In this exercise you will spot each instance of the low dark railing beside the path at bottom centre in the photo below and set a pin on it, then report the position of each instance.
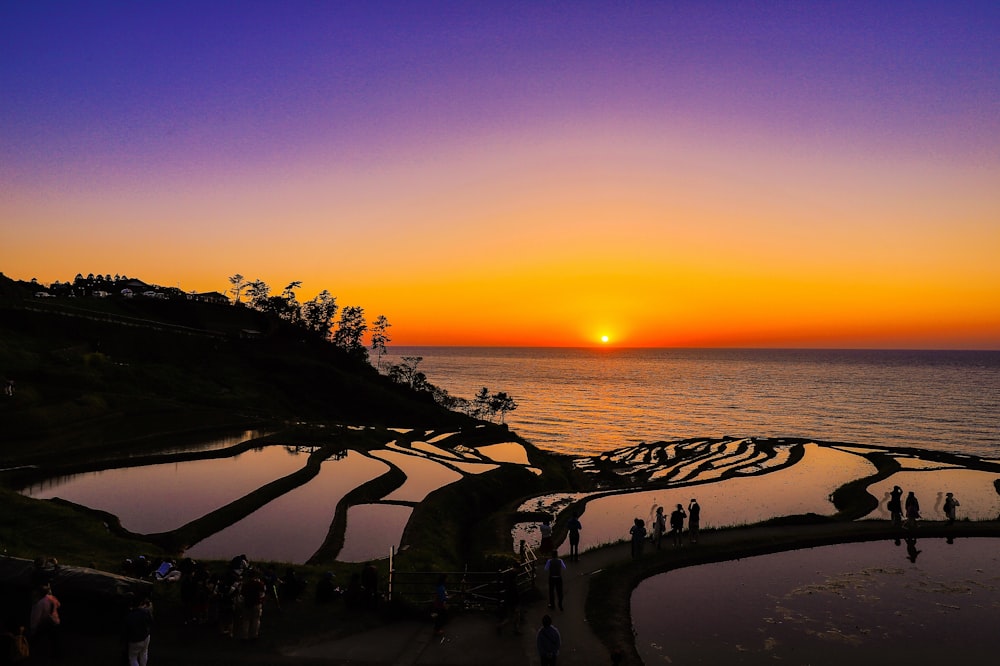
(467, 590)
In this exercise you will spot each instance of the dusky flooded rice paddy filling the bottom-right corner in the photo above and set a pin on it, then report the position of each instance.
(923, 602)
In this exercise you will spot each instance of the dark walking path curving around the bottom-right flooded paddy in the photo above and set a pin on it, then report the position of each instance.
(472, 638)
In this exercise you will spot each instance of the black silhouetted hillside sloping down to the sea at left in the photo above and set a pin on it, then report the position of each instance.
(102, 376)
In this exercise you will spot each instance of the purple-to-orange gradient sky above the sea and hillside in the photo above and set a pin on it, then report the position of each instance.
(807, 174)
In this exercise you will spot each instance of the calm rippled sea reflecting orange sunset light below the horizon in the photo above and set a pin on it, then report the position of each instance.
(586, 401)
